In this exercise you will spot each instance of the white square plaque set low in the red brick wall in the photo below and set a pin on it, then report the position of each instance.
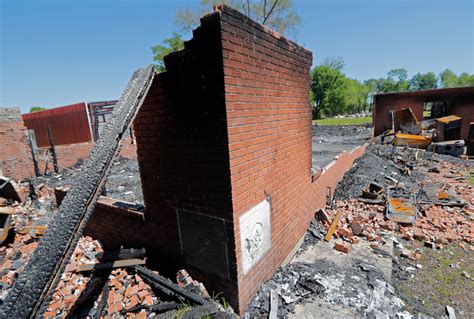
(255, 234)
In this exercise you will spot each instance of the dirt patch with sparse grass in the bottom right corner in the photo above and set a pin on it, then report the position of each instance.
(442, 278)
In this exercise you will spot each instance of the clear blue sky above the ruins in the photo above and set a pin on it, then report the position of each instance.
(57, 52)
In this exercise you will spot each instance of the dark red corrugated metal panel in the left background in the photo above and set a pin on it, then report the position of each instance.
(69, 124)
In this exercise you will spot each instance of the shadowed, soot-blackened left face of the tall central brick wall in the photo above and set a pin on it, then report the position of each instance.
(182, 149)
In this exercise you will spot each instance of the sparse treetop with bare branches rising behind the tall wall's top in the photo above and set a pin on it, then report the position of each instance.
(276, 14)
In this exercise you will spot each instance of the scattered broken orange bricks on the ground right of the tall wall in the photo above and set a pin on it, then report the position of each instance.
(436, 225)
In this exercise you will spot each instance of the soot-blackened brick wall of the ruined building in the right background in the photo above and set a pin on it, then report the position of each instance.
(460, 102)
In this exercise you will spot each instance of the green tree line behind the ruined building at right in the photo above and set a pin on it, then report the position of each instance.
(334, 93)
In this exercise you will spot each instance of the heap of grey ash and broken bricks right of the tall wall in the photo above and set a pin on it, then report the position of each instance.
(444, 200)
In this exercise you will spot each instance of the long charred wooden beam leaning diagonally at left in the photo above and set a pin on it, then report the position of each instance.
(33, 288)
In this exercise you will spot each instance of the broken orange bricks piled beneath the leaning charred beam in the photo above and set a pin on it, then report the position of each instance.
(112, 296)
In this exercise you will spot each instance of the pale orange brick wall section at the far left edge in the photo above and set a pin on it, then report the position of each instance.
(15, 154)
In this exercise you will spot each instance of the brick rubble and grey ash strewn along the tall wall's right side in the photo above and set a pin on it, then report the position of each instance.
(443, 199)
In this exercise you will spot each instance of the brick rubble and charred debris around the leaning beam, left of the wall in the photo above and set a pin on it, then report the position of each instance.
(92, 284)
